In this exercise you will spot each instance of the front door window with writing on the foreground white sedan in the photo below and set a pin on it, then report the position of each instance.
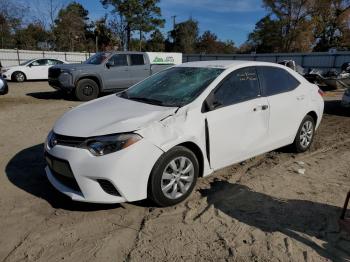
(241, 85)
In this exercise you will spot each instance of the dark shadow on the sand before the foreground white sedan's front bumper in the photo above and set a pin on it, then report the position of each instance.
(26, 171)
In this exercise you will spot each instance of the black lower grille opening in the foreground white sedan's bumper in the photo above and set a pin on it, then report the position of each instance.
(62, 171)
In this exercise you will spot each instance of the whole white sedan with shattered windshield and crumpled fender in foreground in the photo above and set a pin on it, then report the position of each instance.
(156, 138)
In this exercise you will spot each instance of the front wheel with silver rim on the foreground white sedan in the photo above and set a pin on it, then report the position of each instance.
(172, 187)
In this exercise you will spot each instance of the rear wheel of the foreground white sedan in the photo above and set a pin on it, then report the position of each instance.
(305, 135)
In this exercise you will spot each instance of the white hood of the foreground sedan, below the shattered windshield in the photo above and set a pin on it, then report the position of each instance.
(109, 115)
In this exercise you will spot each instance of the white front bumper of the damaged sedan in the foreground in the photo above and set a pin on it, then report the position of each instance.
(127, 170)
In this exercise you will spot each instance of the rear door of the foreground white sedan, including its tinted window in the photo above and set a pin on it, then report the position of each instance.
(287, 99)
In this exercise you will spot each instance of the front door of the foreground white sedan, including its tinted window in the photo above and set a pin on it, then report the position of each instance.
(238, 127)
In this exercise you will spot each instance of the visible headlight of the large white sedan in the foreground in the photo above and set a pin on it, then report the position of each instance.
(104, 145)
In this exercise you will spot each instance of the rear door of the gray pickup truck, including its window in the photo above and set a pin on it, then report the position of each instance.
(139, 69)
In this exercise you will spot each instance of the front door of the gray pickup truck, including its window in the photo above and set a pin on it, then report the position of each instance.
(116, 72)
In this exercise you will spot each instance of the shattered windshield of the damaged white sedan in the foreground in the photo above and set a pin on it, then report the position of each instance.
(176, 86)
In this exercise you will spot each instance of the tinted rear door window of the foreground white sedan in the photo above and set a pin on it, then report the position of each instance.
(276, 80)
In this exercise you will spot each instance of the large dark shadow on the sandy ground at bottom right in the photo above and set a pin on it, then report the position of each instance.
(288, 216)
